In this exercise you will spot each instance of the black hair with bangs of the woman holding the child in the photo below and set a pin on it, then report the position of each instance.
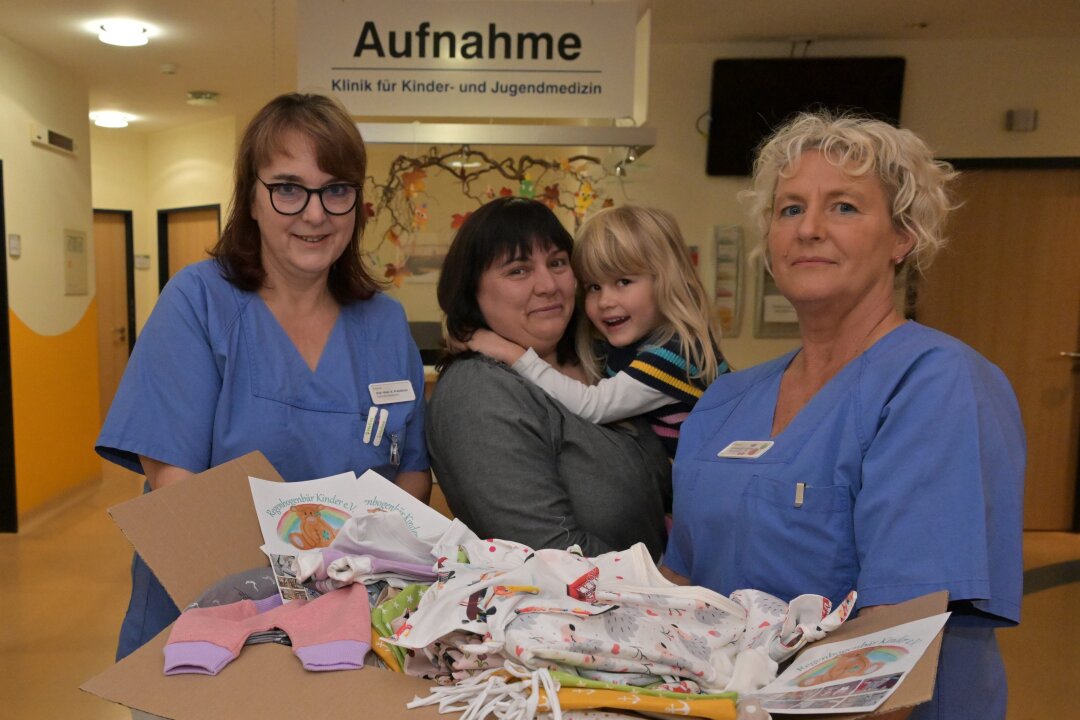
(506, 227)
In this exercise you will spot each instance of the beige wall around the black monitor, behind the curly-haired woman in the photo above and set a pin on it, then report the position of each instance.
(955, 96)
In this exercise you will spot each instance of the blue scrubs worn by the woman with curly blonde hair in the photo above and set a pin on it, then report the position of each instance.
(912, 460)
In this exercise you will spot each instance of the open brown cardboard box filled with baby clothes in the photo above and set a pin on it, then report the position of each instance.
(196, 533)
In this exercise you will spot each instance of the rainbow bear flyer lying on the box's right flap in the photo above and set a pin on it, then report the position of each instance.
(854, 676)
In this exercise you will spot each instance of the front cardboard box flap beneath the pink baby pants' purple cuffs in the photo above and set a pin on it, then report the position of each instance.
(265, 682)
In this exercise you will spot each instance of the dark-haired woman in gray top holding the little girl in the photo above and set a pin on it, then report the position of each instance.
(514, 463)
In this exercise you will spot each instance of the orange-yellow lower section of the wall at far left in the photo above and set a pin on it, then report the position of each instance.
(55, 395)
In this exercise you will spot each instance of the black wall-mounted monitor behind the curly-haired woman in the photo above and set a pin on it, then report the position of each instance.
(751, 98)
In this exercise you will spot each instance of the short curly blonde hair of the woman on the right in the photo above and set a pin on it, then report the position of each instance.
(915, 183)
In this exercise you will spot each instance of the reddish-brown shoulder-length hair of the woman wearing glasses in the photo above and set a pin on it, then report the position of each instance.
(340, 151)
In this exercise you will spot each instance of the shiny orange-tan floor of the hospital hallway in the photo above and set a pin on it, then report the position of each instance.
(65, 588)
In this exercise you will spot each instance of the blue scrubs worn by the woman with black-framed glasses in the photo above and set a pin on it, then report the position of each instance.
(214, 376)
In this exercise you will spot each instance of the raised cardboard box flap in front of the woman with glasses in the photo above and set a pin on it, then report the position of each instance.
(196, 533)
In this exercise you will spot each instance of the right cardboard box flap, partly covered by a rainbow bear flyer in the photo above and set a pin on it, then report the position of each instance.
(919, 687)
